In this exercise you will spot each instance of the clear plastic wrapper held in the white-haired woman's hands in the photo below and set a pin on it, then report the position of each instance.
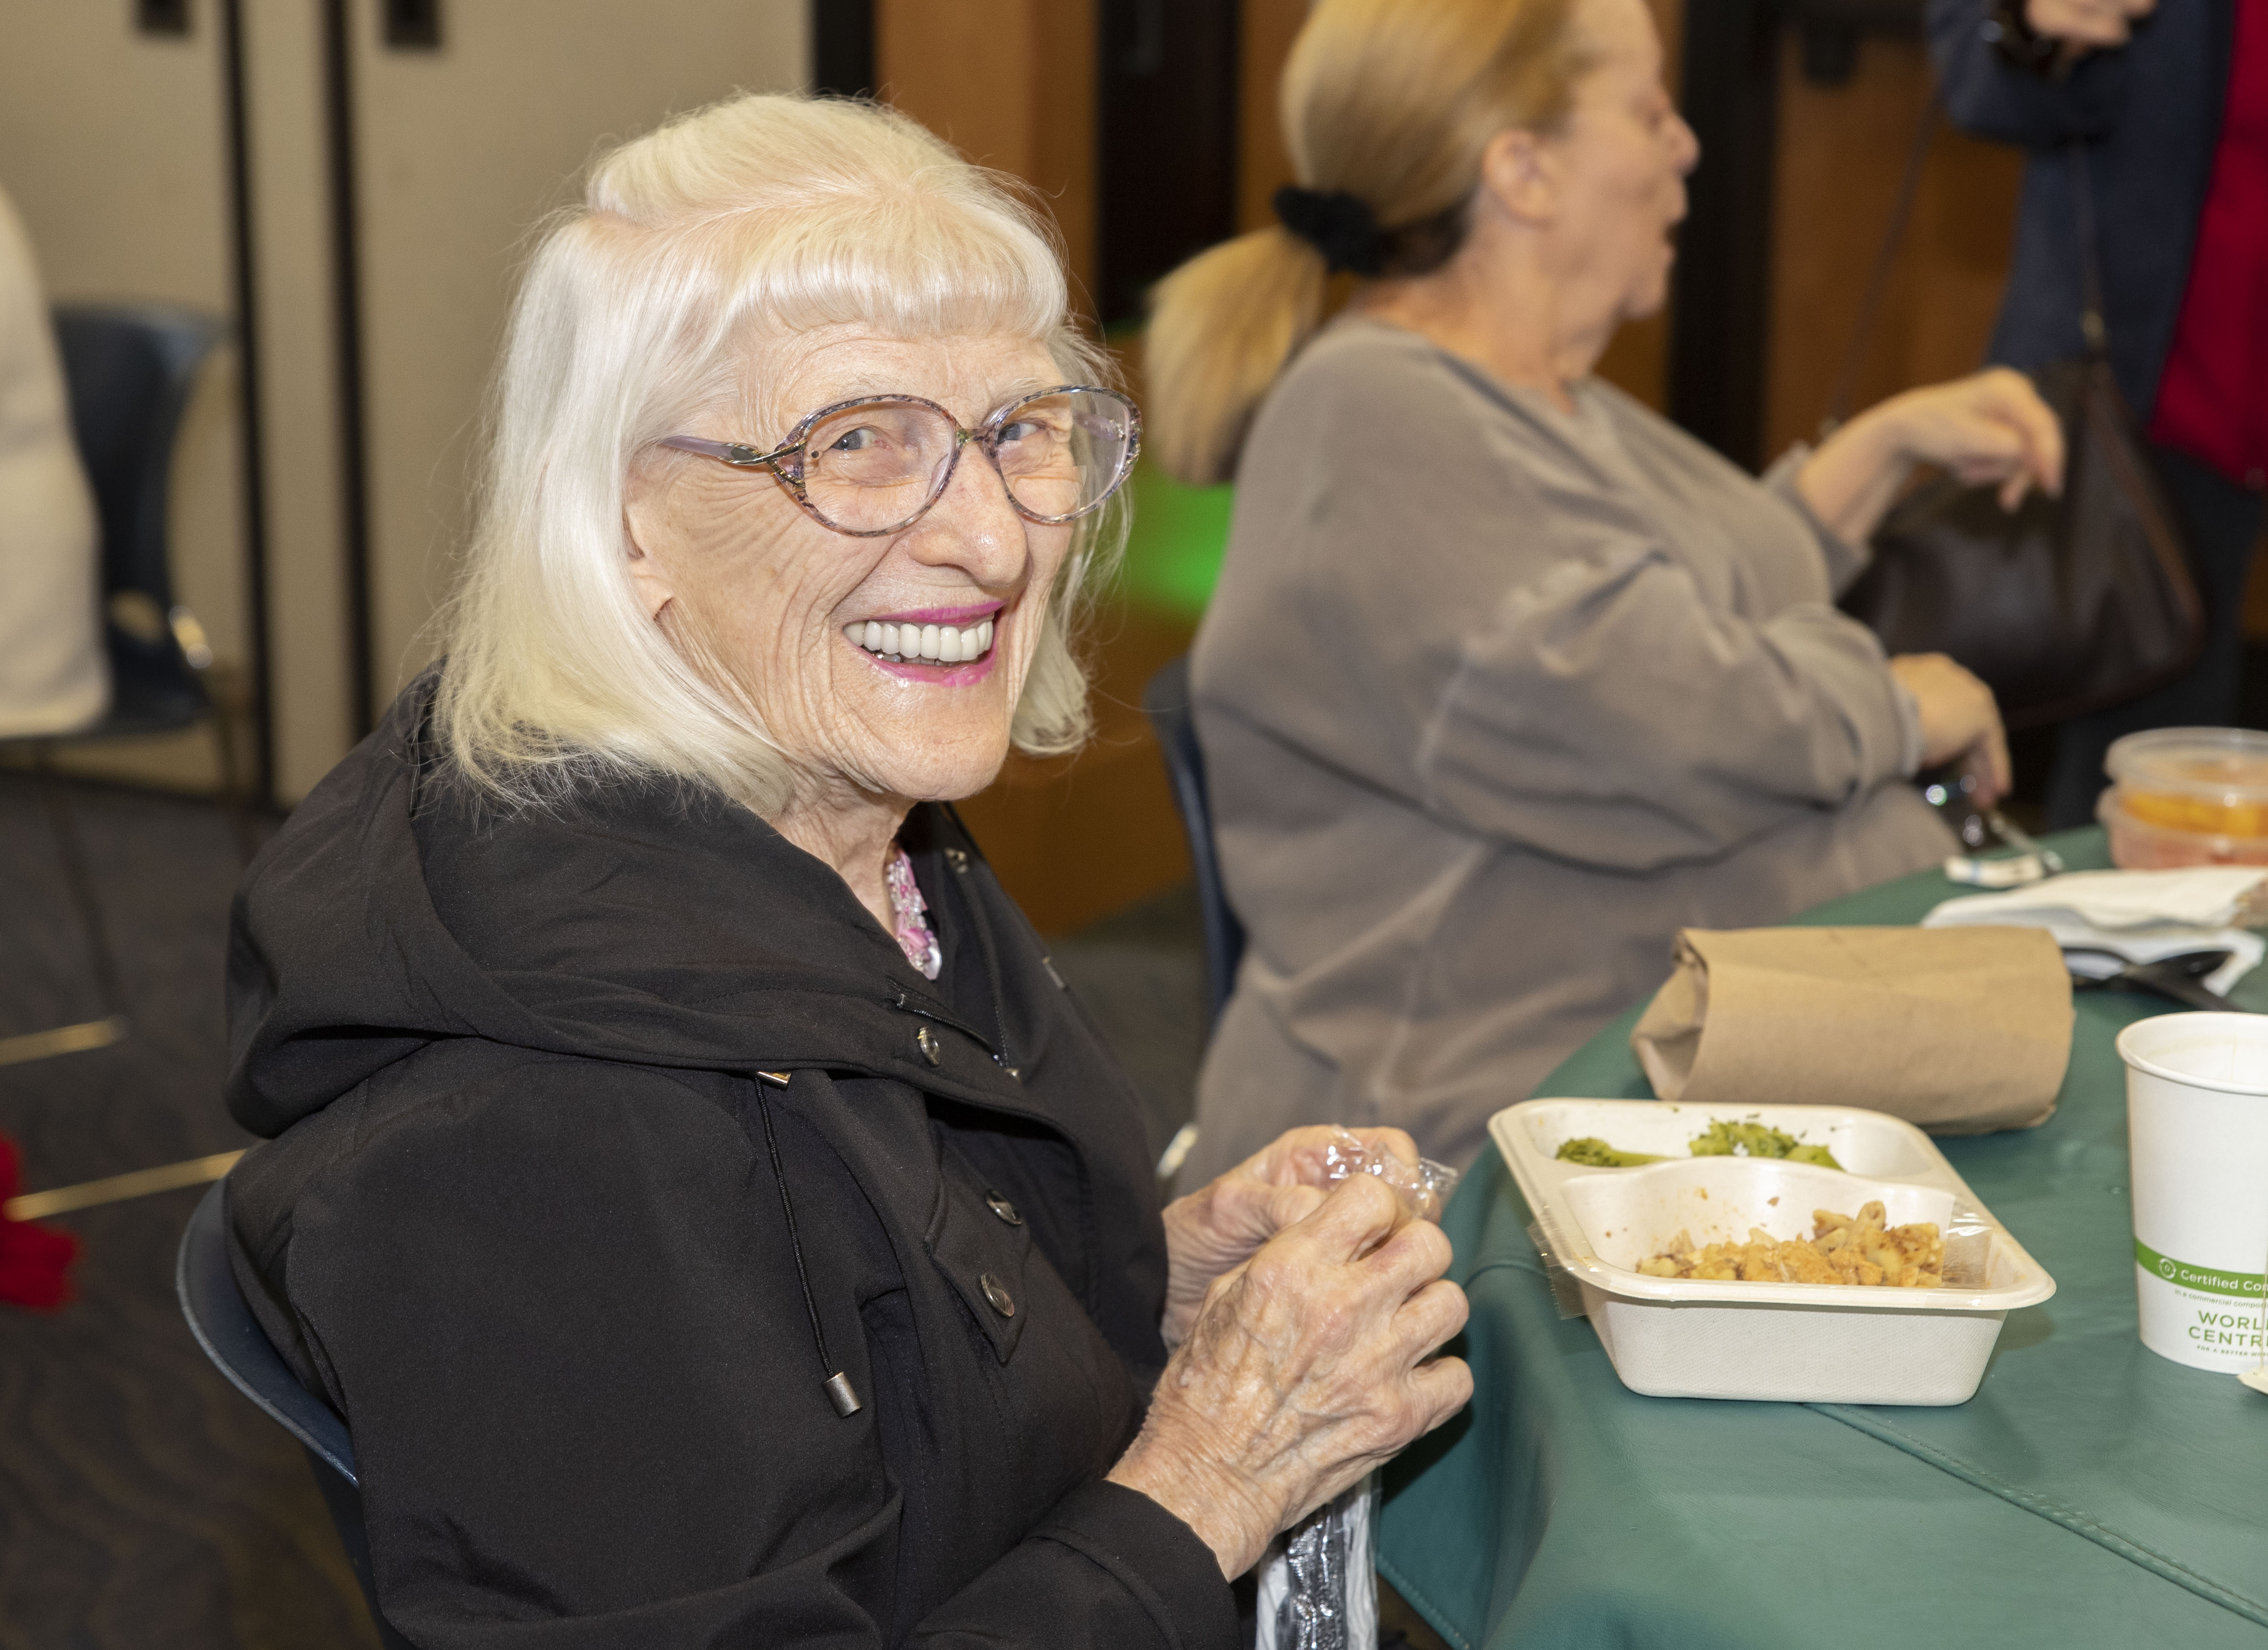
(1321, 1579)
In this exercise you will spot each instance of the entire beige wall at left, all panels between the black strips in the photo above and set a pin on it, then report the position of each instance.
(112, 146)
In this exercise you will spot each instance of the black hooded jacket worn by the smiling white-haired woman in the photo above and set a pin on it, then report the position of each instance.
(521, 1221)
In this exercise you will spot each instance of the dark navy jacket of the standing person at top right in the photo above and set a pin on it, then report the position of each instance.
(2149, 117)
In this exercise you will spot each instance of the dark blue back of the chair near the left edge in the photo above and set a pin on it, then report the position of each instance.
(130, 373)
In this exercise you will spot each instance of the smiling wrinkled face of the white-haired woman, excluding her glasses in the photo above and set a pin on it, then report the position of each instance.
(761, 595)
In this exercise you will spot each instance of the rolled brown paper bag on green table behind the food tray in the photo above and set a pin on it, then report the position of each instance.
(1956, 1030)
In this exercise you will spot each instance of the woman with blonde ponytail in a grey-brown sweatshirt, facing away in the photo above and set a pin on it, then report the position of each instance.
(1507, 679)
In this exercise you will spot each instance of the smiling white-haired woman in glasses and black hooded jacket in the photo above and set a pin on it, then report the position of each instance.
(688, 1177)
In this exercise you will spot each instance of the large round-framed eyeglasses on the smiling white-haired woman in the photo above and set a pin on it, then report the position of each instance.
(877, 466)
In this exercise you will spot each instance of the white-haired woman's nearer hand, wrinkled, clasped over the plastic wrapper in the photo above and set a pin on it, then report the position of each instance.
(1305, 1370)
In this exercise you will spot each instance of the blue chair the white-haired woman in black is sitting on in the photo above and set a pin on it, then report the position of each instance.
(239, 1347)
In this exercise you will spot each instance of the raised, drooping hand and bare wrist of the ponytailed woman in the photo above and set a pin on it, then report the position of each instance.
(1981, 429)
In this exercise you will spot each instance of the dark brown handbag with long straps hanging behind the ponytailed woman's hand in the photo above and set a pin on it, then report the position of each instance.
(2063, 606)
